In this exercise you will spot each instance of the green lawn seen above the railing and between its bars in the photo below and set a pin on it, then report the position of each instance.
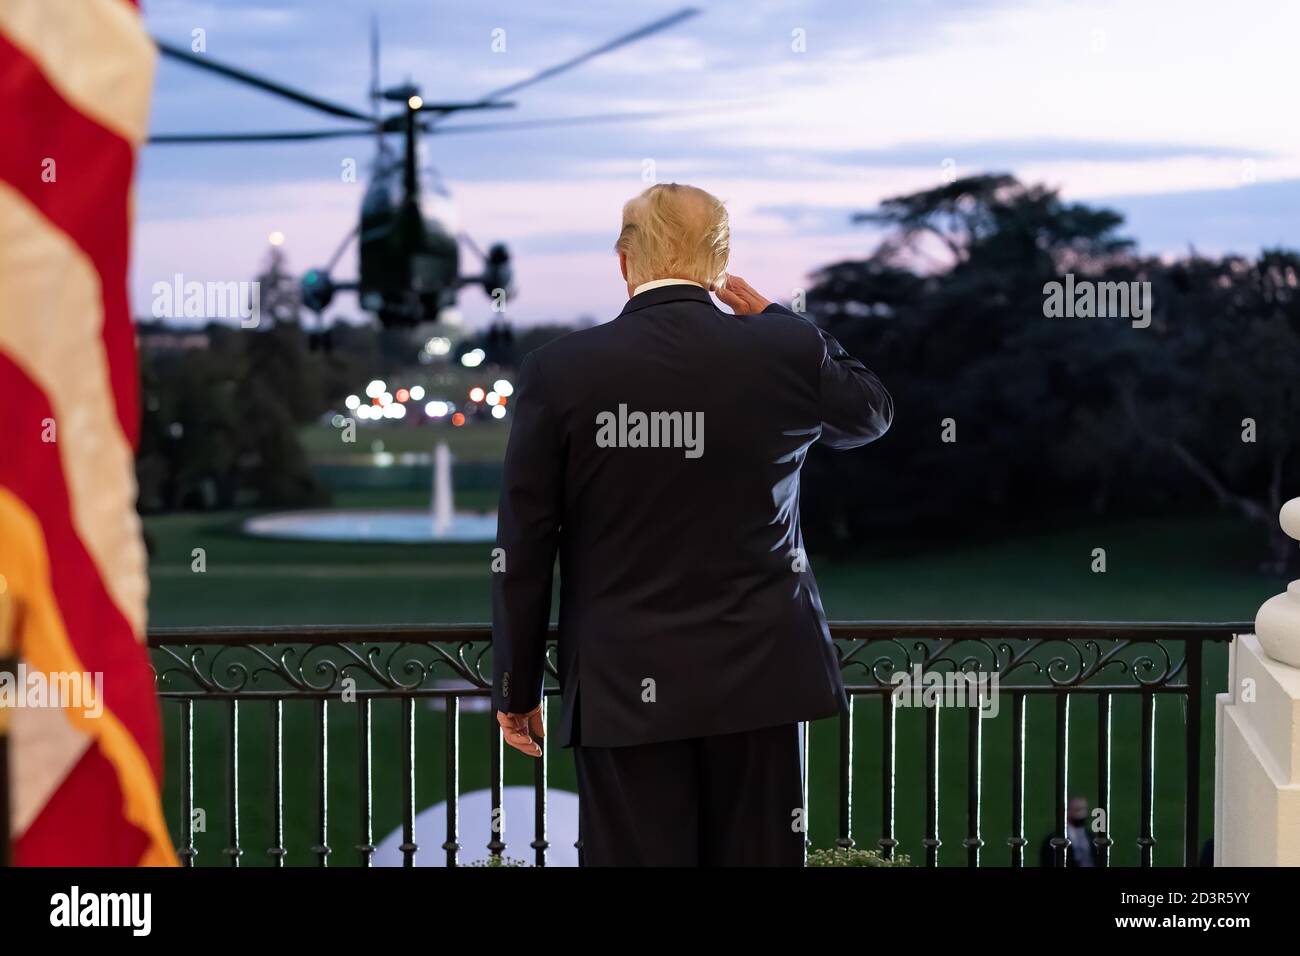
(1169, 569)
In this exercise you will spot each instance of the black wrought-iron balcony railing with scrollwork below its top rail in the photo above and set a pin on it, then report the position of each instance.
(1072, 663)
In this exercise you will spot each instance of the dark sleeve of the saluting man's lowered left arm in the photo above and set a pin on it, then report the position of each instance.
(528, 527)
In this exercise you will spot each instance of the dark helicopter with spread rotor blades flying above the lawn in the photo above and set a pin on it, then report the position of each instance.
(409, 257)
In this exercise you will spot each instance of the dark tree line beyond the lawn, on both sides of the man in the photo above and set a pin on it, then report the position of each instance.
(1013, 409)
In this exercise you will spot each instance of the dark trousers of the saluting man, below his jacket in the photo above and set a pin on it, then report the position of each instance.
(734, 801)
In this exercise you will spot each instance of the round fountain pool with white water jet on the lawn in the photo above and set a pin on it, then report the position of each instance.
(441, 524)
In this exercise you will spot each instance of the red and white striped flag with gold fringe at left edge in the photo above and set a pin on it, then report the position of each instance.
(75, 89)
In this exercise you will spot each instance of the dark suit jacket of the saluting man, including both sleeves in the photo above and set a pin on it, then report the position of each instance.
(687, 608)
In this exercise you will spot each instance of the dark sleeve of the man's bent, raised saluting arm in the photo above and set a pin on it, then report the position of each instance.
(856, 408)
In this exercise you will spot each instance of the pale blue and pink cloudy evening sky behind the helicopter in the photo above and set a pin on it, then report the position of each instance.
(1178, 114)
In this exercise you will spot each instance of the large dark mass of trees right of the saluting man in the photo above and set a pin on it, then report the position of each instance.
(1009, 417)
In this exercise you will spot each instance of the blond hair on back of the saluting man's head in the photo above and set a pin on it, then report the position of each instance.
(675, 232)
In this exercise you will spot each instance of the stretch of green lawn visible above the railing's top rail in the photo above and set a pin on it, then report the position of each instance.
(1172, 569)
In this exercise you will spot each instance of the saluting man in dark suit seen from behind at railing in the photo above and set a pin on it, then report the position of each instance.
(660, 456)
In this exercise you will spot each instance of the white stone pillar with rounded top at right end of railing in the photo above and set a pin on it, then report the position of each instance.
(1258, 736)
